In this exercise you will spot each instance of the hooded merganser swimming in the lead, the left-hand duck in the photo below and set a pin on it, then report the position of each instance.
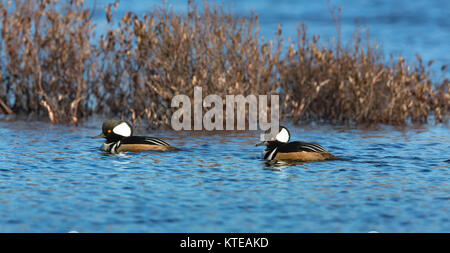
(119, 139)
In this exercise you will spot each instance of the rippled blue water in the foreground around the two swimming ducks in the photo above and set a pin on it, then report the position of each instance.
(56, 179)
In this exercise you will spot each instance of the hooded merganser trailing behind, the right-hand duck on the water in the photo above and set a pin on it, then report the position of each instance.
(280, 149)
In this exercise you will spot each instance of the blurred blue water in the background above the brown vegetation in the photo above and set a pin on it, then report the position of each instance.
(401, 27)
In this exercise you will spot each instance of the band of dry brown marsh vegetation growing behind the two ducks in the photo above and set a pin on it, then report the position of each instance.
(53, 65)
